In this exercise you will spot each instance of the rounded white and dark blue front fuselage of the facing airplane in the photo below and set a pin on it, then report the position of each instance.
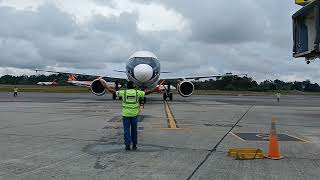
(143, 68)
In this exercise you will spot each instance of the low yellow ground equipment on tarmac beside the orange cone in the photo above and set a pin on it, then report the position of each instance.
(246, 153)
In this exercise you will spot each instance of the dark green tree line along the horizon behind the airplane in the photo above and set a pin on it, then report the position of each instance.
(233, 83)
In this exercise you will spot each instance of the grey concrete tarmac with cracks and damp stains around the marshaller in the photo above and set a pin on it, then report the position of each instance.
(80, 136)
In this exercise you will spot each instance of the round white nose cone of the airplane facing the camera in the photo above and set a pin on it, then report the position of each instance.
(143, 72)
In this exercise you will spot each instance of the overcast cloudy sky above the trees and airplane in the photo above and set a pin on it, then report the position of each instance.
(189, 37)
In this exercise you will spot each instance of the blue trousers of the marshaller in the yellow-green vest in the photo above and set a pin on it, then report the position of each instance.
(133, 135)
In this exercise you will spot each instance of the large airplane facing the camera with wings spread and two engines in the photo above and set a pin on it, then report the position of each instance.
(143, 68)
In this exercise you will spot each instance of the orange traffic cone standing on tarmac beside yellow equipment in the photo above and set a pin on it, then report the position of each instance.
(273, 142)
